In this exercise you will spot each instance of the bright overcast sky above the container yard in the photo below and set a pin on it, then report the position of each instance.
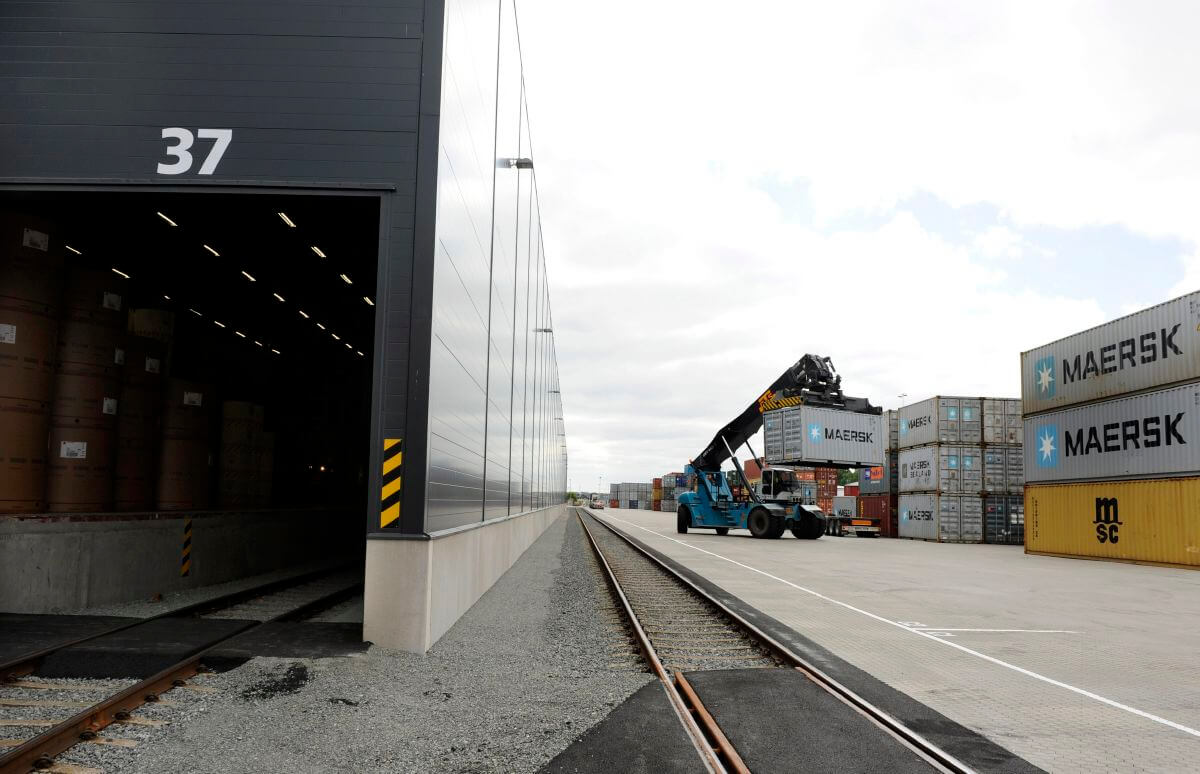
(919, 190)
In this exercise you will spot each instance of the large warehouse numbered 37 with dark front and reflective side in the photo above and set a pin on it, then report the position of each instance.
(273, 274)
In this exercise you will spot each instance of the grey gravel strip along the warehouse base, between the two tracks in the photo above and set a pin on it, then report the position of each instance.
(537, 662)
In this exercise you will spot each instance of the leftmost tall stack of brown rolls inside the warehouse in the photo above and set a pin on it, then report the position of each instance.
(32, 259)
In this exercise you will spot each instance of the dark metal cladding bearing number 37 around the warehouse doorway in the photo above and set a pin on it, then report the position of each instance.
(316, 95)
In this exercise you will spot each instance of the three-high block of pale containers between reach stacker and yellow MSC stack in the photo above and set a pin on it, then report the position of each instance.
(959, 467)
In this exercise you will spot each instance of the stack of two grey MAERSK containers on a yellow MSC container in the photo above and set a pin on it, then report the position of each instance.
(1113, 427)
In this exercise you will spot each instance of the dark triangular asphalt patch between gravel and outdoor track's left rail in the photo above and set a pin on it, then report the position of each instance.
(643, 736)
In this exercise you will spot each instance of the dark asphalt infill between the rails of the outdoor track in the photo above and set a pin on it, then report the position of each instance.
(779, 722)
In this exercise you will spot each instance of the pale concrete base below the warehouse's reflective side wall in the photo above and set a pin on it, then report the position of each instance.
(417, 590)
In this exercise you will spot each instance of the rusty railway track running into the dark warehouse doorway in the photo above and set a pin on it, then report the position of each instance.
(291, 599)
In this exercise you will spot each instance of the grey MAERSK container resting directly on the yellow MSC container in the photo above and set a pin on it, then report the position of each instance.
(1153, 435)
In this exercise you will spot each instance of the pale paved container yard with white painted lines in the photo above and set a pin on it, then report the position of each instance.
(1076, 667)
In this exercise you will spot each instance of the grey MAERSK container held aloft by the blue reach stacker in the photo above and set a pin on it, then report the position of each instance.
(821, 436)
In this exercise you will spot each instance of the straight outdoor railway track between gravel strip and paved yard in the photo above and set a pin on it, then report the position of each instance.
(680, 628)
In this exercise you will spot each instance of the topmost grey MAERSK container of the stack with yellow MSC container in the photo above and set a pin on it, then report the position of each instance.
(1148, 350)
